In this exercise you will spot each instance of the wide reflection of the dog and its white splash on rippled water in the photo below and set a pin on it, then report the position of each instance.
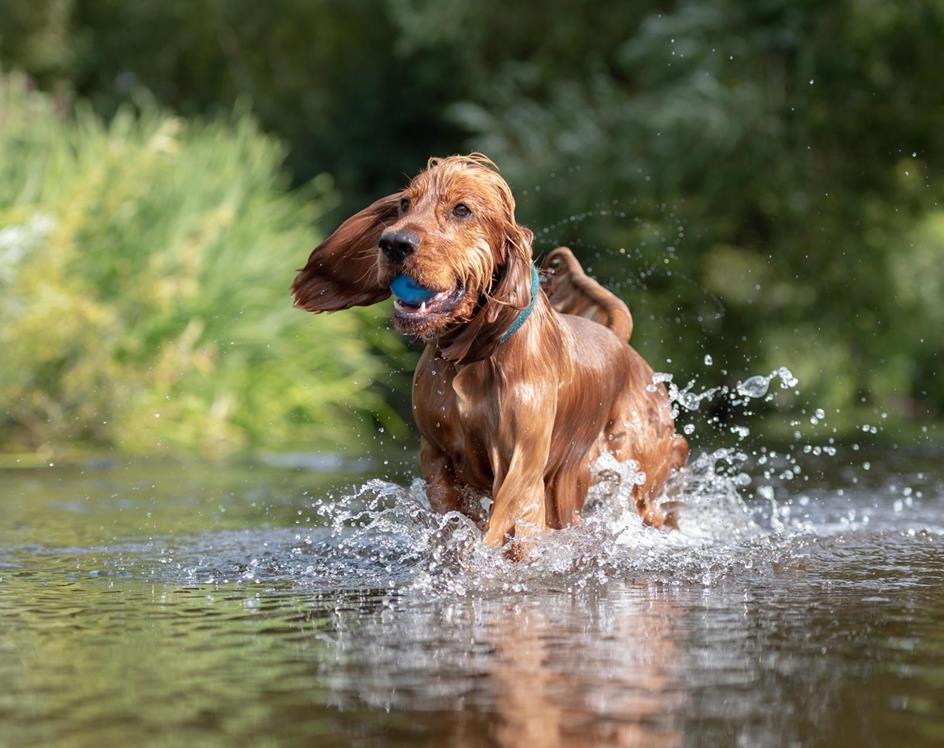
(548, 669)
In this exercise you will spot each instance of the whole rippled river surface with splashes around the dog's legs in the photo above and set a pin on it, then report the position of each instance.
(304, 601)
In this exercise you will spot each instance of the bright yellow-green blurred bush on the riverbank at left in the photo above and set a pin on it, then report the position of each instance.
(144, 273)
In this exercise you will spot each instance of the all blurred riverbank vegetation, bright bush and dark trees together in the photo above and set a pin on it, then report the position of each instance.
(762, 183)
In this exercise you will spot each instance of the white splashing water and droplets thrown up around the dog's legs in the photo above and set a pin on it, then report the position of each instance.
(384, 534)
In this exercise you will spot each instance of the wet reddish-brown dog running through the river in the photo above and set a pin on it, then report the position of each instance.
(519, 390)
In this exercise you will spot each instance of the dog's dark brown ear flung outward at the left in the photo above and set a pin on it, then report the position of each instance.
(342, 270)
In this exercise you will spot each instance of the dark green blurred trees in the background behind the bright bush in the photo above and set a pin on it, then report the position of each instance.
(760, 180)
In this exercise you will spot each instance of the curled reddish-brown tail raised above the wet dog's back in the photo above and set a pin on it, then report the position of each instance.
(571, 291)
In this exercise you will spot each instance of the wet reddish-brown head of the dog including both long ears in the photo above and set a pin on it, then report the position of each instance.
(452, 232)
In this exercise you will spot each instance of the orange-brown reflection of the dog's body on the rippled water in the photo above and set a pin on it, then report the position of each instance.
(610, 682)
